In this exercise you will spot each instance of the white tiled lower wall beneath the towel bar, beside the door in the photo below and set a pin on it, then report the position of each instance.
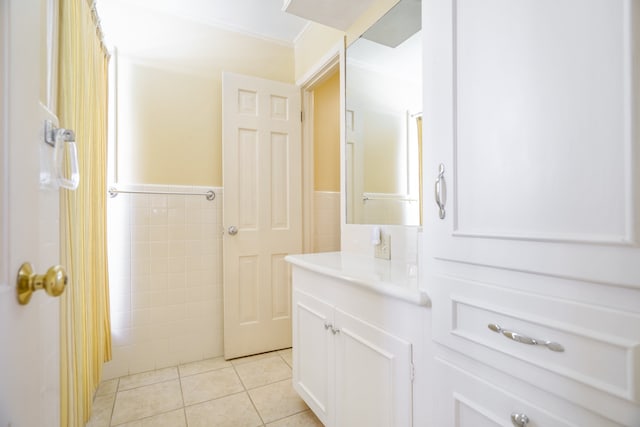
(165, 274)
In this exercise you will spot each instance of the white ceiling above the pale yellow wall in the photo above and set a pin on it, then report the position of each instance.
(262, 18)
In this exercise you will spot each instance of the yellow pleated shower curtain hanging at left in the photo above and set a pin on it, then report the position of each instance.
(82, 106)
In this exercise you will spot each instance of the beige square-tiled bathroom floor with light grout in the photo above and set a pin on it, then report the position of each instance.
(248, 392)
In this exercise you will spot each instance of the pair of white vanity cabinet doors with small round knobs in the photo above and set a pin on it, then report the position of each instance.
(349, 371)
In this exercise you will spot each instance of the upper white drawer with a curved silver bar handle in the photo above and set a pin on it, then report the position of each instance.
(599, 346)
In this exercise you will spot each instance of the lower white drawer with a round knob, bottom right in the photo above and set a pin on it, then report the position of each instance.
(465, 400)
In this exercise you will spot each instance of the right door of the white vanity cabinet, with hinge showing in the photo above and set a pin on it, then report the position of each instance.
(373, 375)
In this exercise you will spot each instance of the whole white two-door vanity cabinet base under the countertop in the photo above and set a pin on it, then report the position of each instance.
(354, 349)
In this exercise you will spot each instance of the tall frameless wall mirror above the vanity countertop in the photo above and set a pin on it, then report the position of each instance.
(383, 120)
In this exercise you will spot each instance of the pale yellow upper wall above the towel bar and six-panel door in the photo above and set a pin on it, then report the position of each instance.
(169, 98)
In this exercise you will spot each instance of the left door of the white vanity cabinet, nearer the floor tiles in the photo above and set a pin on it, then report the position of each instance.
(313, 353)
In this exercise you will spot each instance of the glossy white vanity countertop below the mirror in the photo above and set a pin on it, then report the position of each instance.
(393, 278)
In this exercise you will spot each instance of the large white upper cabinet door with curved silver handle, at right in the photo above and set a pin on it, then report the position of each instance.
(532, 109)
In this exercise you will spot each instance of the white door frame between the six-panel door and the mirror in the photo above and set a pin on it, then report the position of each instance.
(322, 70)
